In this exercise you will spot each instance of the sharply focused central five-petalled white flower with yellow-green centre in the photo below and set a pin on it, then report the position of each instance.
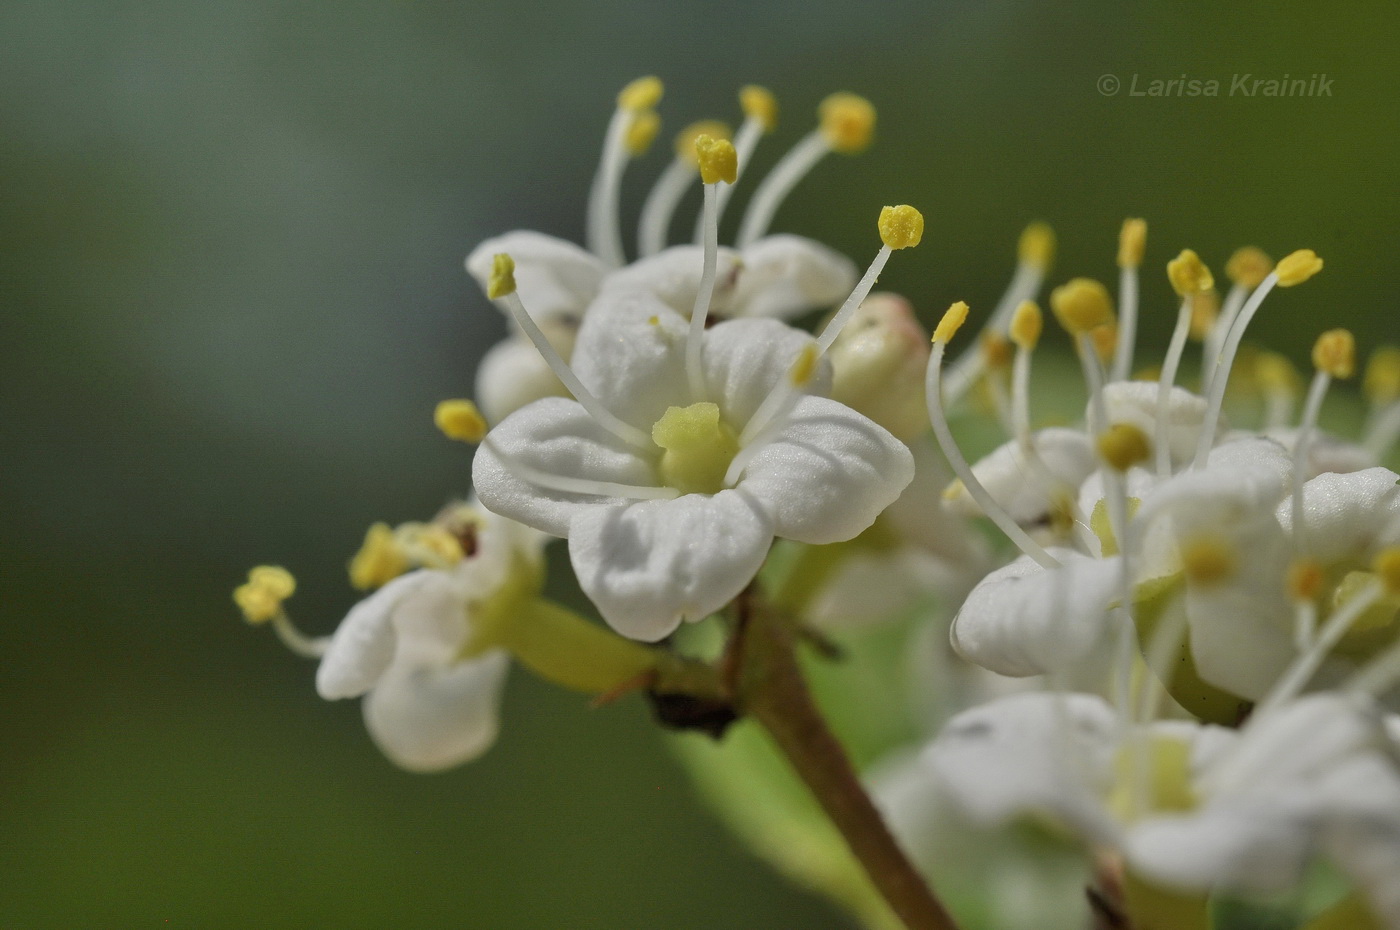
(818, 473)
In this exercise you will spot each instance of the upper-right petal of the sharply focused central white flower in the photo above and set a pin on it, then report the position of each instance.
(744, 359)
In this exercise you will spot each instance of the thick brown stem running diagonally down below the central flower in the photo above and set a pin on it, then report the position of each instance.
(776, 694)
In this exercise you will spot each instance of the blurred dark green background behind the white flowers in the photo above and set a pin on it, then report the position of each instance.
(230, 268)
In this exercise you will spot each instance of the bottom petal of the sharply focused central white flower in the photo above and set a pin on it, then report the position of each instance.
(652, 565)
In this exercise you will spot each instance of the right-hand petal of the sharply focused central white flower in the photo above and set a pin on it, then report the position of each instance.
(828, 474)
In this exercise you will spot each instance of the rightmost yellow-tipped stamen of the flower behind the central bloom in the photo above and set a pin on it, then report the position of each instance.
(848, 124)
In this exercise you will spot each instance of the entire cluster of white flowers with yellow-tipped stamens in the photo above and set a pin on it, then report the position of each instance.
(1186, 670)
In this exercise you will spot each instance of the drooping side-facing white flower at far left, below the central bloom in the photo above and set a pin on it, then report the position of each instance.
(412, 651)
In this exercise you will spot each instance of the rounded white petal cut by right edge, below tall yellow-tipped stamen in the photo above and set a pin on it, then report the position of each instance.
(1349, 516)
